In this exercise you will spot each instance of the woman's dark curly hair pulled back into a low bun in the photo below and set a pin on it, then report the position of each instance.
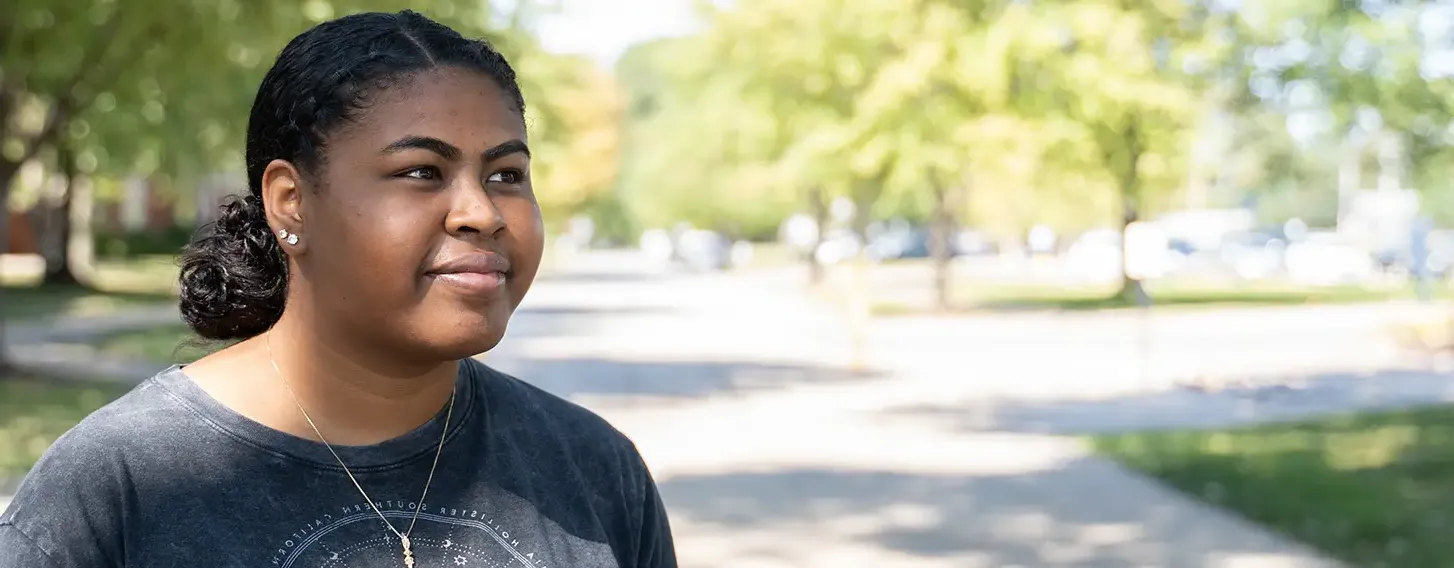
(235, 275)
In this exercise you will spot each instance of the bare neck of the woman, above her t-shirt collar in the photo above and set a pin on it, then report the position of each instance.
(351, 399)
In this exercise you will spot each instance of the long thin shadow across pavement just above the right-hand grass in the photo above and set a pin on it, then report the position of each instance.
(1186, 407)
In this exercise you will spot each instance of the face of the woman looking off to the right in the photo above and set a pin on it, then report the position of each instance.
(425, 233)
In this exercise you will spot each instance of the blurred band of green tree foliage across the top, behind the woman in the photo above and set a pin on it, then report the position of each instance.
(991, 114)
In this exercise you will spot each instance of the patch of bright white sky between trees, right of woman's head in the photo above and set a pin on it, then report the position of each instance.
(604, 30)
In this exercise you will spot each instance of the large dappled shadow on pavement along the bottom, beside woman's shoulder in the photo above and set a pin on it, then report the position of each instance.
(965, 521)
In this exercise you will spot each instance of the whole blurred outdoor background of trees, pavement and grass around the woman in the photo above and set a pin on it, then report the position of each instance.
(870, 283)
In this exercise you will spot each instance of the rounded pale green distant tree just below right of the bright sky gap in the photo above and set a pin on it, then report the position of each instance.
(696, 149)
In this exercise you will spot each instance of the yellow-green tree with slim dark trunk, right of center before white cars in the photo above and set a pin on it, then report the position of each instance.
(1126, 76)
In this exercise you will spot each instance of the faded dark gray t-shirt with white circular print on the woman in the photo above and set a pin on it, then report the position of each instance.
(169, 477)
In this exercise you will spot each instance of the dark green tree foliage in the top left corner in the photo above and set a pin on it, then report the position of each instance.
(69, 68)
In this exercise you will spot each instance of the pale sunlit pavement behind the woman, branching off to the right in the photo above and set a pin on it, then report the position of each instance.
(952, 448)
